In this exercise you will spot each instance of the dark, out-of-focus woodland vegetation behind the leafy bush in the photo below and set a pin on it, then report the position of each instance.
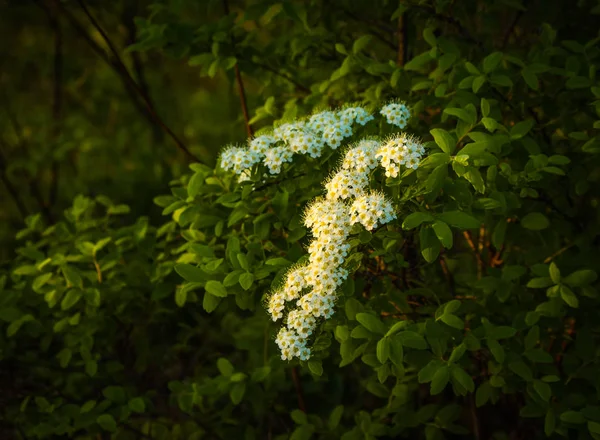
(103, 97)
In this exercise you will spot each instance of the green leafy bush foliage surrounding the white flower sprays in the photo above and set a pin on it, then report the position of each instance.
(472, 314)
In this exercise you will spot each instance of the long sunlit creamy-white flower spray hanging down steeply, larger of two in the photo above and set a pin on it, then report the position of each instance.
(330, 218)
